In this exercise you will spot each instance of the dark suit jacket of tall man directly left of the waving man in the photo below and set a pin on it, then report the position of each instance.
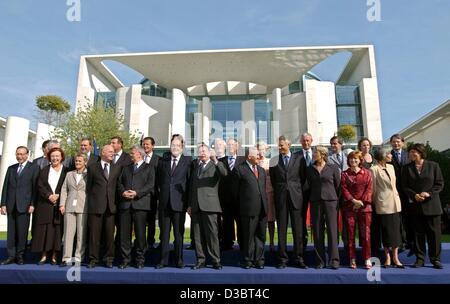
(173, 189)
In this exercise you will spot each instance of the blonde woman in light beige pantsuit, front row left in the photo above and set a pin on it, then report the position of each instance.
(74, 207)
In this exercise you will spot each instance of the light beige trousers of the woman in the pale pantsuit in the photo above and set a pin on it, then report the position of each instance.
(75, 223)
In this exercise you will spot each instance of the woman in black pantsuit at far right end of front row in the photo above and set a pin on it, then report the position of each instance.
(422, 181)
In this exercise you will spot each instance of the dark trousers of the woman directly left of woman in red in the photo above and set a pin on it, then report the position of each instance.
(325, 212)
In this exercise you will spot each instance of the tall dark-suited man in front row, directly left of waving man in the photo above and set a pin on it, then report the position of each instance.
(173, 181)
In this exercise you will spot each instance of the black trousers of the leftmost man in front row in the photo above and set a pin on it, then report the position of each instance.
(18, 224)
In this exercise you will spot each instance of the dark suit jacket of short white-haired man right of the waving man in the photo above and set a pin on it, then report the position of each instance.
(249, 192)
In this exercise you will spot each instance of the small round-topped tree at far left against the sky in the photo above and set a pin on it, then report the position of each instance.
(52, 109)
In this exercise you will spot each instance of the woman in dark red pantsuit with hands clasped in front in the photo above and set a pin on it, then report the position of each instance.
(356, 184)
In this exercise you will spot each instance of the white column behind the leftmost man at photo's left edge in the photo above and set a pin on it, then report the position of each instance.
(16, 134)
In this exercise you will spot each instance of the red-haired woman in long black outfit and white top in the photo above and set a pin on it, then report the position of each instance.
(47, 231)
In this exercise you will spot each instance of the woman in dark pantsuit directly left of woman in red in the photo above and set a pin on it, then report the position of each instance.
(324, 180)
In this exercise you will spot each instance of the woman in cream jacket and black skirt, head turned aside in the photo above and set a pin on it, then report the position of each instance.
(387, 204)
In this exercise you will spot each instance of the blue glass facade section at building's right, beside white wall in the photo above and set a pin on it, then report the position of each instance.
(348, 107)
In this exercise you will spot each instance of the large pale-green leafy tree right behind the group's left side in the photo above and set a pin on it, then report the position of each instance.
(97, 123)
